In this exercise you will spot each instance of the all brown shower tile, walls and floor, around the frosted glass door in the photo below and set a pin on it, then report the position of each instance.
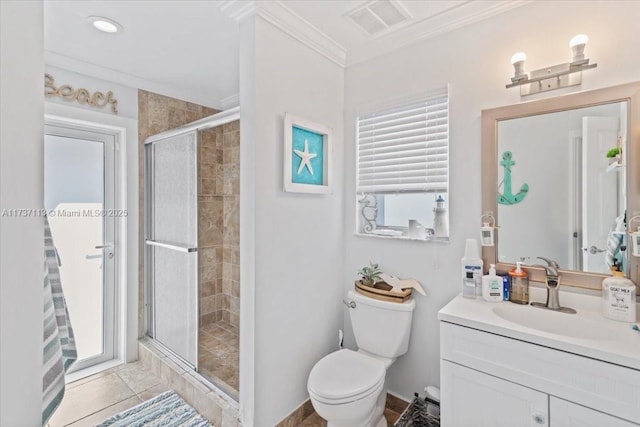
(218, 231)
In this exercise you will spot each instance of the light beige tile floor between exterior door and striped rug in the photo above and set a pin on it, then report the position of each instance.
(93, 399)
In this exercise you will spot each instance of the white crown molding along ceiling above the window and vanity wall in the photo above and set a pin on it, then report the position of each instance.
(447, 21)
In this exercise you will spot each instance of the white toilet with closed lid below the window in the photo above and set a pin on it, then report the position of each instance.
(347, 388)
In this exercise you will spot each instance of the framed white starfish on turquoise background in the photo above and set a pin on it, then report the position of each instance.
(307, 156)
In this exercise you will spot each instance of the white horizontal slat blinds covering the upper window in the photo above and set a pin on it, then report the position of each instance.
(406, 148)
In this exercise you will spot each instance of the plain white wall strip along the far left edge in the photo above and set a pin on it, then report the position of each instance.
(22, 238)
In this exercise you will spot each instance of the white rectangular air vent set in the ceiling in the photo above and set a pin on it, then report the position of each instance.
(378, 16)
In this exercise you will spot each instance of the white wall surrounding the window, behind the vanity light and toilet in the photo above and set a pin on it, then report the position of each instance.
(475, 61)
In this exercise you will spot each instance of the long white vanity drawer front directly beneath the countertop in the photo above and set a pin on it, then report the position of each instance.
(595, 384)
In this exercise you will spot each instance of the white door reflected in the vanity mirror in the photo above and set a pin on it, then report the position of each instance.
(599, 190)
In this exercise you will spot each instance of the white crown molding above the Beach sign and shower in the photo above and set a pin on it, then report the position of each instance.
(98, 72)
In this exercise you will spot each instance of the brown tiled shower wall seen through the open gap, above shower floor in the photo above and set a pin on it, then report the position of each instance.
(219, 214)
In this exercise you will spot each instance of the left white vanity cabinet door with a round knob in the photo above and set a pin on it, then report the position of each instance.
(473, 399)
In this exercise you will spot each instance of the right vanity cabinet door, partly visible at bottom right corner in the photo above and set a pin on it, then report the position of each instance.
(567, 414)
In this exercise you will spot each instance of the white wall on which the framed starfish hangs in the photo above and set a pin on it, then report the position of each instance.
(298, 237)
